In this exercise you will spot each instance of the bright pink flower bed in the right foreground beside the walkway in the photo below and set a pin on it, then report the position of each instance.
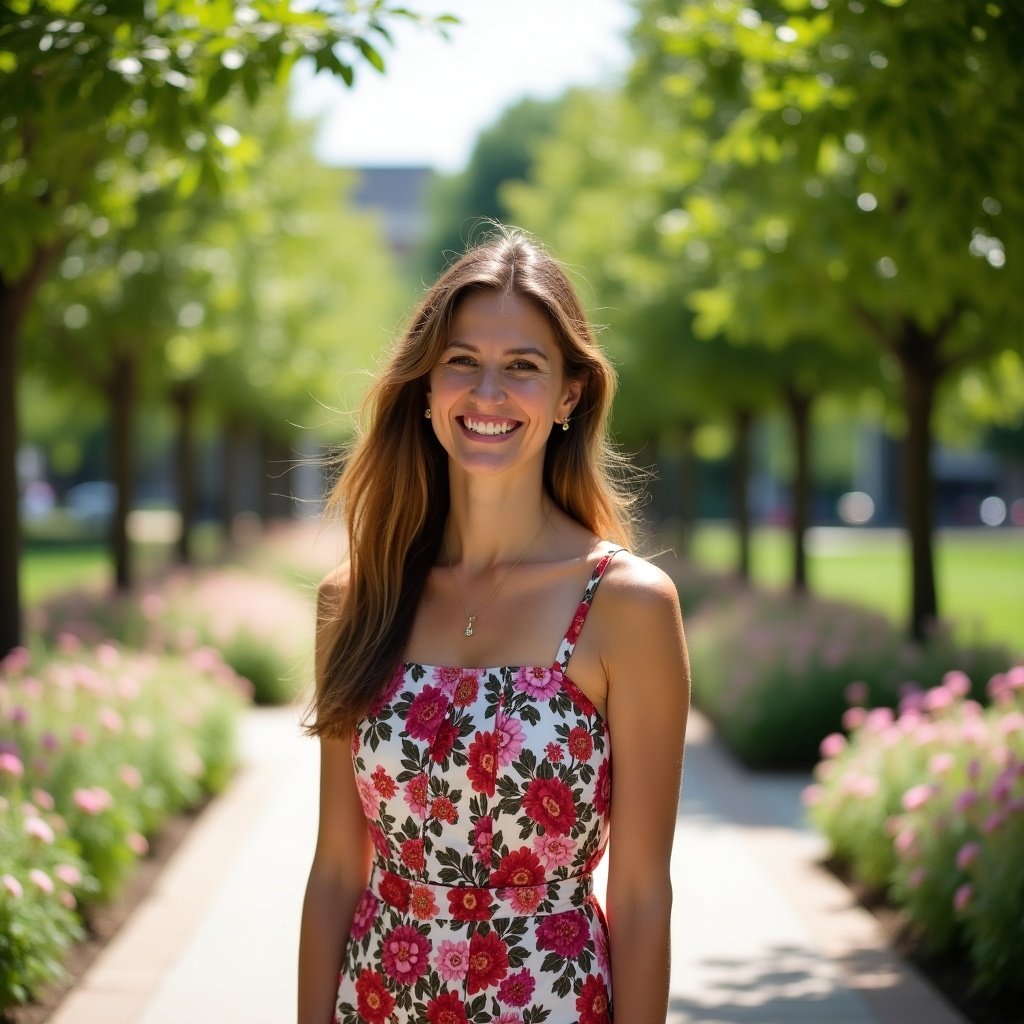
(927, 804)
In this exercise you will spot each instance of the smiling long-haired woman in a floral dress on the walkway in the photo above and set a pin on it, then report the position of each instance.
(466, 792)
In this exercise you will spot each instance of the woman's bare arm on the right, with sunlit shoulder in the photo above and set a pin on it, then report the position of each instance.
(649, 702)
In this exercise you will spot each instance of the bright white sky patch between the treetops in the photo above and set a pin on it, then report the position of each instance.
(437, 96)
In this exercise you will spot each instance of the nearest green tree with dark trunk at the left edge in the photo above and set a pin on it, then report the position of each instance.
(84, 83)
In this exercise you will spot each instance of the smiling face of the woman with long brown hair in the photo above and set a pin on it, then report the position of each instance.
(499, 388)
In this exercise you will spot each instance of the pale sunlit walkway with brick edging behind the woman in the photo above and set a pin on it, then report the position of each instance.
(761, 934)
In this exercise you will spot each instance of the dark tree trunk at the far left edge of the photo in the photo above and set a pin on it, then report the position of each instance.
(16, 300)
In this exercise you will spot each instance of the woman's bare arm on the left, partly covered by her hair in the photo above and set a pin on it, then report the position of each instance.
(342, 861)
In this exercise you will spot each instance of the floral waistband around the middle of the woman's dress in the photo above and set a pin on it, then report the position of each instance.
(431, 902)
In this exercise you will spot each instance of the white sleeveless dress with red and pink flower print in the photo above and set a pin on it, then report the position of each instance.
(488, 793)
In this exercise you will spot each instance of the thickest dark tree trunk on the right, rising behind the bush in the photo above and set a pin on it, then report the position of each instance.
(920, 378)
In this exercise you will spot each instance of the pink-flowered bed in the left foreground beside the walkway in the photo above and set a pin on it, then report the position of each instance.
(99, 747)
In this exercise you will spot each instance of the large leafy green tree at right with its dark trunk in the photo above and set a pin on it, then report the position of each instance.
(861, 182)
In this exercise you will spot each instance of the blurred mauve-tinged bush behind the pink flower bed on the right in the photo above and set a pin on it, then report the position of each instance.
(771, 670)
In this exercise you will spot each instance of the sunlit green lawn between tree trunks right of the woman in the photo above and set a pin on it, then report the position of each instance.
(979, 574)
